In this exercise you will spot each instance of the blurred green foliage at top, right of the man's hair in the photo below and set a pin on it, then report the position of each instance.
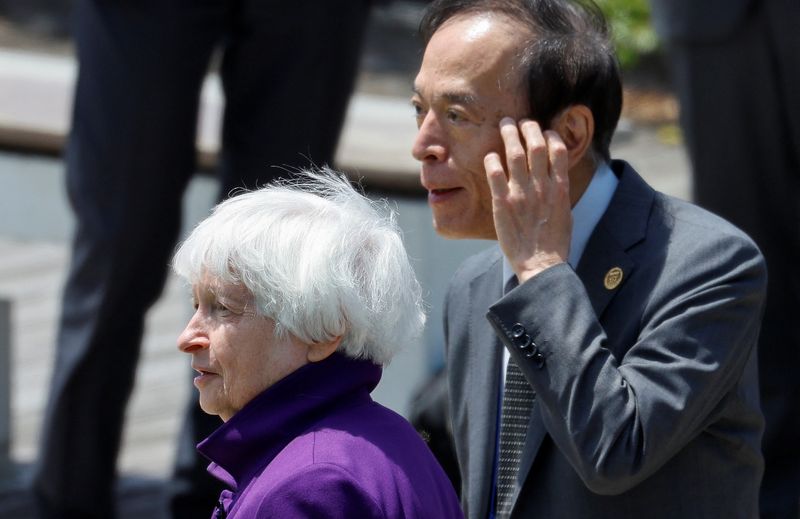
(634, 36)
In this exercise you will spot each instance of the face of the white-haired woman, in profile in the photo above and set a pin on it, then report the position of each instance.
(233, 349)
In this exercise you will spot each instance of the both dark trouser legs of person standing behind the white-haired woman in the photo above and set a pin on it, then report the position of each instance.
(288, 69)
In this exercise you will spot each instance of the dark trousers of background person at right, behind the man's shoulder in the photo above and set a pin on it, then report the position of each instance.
(740, 110)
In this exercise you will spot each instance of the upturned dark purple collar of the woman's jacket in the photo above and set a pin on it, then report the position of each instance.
(261, 429)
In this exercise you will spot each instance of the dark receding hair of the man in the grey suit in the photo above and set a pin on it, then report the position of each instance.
(569, 60)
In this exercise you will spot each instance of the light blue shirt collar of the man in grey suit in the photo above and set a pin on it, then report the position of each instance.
(585, 215)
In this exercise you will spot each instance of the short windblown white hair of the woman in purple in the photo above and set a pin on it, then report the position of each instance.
(319, 258)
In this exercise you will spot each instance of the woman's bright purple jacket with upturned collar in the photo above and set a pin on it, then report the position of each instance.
(315, 444)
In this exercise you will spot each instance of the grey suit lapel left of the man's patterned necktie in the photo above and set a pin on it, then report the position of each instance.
(485, 357)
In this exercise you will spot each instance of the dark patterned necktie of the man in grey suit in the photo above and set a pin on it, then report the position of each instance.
(518, 398)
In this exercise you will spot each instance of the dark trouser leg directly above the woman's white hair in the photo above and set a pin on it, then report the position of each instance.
(288, 76)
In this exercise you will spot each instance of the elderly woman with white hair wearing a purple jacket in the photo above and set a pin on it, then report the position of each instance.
(302, 292)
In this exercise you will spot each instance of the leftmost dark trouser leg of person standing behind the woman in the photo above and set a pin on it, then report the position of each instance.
(129, 157)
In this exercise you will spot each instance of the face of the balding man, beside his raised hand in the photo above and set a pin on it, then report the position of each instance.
(468, 81)
